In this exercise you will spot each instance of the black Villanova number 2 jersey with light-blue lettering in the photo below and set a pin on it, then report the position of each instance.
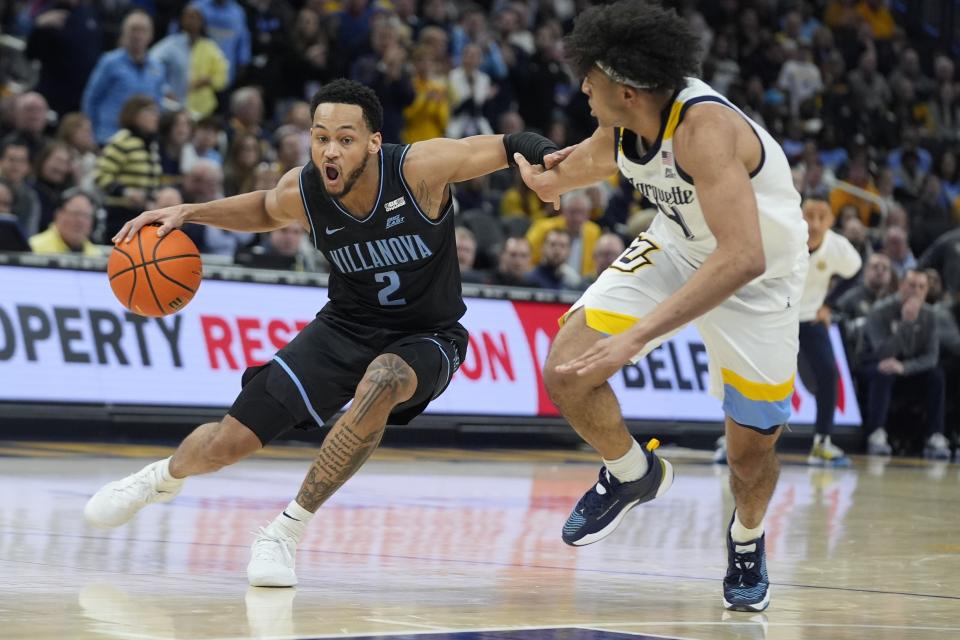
(395, 268)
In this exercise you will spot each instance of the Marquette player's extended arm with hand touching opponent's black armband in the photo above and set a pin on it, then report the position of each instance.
(579, 166)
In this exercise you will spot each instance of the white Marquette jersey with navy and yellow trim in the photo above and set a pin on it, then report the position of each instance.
(680, 224)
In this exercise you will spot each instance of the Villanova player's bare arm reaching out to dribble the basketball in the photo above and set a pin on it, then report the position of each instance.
(256, 211)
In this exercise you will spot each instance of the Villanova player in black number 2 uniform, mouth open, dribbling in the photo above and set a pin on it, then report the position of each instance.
(389, 338)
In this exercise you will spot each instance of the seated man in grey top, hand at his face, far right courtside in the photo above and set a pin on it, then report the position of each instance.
(902, 349)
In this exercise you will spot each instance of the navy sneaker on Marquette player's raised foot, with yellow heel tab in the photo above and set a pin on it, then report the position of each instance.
(602, 508)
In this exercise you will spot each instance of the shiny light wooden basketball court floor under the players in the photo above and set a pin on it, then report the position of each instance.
(441, 544)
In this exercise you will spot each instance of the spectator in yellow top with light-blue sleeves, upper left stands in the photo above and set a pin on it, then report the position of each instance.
(195, 68)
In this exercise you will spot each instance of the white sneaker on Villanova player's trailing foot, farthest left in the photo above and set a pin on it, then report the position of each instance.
(119, 501)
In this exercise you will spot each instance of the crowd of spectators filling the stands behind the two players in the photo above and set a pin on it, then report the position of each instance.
(107, 108)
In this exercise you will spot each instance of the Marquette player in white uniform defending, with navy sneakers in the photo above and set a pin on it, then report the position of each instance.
(727, 251)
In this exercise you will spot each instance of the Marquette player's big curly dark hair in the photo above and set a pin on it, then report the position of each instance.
(639, 40)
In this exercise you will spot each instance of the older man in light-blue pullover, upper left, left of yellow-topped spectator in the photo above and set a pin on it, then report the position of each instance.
(121, 74)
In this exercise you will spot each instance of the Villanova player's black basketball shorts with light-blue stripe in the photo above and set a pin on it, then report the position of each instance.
(317, 373)
